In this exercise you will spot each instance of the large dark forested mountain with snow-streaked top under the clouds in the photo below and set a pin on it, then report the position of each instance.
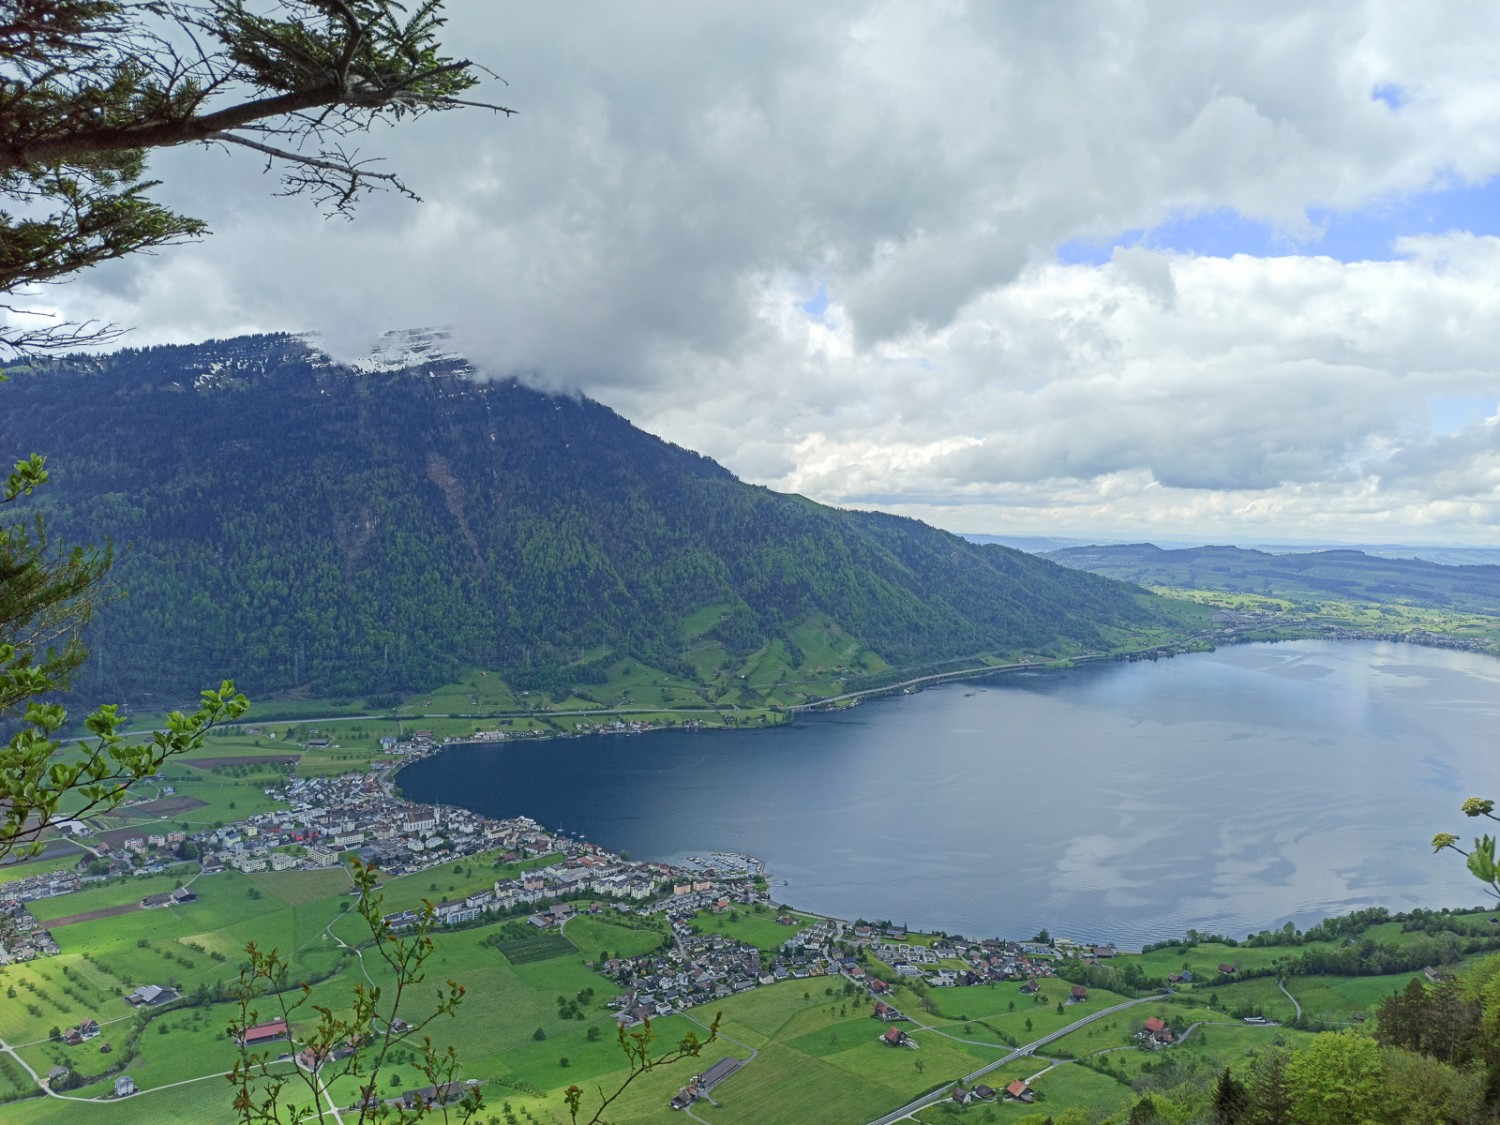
(298, 524)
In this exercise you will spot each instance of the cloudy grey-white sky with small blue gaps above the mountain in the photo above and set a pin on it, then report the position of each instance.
(1174, 271)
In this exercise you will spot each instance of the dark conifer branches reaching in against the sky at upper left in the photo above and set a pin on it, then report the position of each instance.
(94, 85)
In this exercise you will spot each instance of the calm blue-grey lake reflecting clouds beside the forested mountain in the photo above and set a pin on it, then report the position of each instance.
(1223, 791)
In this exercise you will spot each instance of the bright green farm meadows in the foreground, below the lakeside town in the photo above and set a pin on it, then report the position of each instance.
(536, 1016)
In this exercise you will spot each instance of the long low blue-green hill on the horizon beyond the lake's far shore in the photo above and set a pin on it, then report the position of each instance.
(1349, 575)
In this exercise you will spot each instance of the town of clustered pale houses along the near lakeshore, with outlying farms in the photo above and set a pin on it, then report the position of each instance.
(550, 877)
